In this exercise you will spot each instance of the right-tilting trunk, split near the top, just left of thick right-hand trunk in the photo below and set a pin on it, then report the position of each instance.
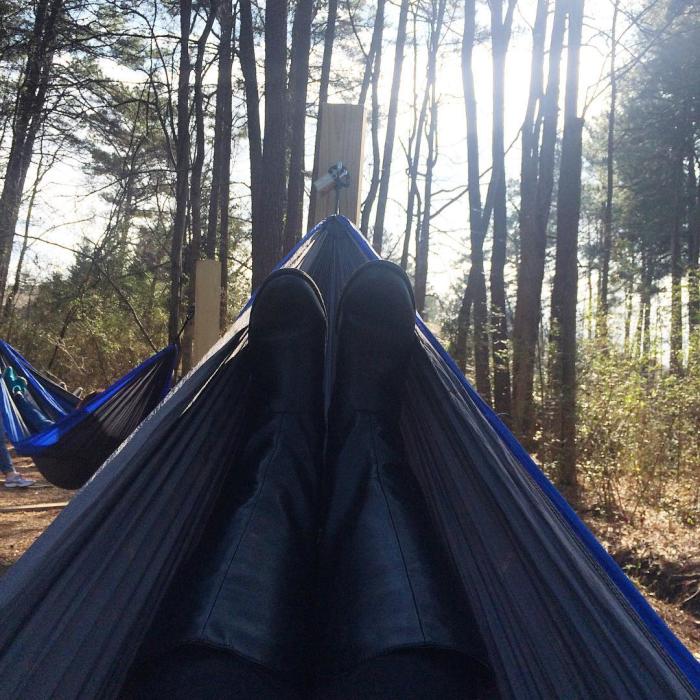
(537, 180)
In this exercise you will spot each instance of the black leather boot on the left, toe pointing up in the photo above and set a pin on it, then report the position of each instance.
(249, 589)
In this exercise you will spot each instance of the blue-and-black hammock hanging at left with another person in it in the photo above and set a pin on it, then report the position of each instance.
(67, 443)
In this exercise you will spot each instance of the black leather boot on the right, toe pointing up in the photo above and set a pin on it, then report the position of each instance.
(387, 584)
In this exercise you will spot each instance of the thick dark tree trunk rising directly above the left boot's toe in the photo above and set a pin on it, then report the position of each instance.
(268, 239)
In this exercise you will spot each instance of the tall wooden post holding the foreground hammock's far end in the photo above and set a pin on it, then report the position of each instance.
(342, 139)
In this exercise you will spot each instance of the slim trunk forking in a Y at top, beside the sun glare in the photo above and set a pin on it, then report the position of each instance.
(500, 39)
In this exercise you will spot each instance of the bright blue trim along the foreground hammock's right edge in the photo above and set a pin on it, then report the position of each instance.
(673, 646)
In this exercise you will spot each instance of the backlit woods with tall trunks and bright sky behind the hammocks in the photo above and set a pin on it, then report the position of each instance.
(533, 164)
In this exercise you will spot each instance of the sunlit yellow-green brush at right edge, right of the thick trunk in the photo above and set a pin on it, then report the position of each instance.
(639, 444)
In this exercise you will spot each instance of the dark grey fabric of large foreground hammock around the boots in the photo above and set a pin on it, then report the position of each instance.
(559, 618)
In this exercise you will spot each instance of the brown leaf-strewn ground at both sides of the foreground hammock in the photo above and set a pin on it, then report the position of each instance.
(661, 557)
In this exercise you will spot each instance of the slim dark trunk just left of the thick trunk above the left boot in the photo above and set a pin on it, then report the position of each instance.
(246, 45)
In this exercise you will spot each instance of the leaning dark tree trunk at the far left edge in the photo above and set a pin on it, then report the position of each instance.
(27, 119)
